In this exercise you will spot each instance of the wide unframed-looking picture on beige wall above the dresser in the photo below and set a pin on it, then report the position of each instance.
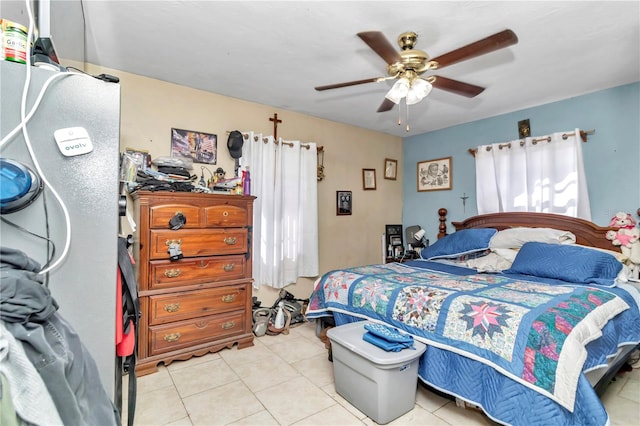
(197, 146)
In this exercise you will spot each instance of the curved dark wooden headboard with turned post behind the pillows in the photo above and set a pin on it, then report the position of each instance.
(587, 233)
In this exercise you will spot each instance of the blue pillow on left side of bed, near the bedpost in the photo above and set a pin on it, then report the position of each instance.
(459, 243)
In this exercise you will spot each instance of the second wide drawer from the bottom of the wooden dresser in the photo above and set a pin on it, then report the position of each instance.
(180, 306)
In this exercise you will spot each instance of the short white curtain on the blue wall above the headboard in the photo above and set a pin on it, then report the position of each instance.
(541, 174)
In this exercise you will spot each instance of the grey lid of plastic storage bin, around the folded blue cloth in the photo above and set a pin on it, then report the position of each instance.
(350, 336)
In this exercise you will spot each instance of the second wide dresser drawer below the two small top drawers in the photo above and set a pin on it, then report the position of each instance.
(168, 274)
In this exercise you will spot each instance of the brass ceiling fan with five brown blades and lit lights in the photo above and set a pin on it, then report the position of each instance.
(407, 65)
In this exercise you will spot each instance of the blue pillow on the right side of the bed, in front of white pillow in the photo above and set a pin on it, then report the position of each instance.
(573, 264)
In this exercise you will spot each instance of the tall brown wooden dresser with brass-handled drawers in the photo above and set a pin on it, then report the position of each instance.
(201, 302)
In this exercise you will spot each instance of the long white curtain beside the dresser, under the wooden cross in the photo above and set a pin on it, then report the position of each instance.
(285, 213)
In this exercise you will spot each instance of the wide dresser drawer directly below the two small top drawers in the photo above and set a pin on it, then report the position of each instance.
(200, 242)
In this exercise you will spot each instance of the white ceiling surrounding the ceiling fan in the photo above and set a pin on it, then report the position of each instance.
(274, 53)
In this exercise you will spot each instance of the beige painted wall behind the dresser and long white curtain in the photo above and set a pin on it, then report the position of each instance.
(150, 108)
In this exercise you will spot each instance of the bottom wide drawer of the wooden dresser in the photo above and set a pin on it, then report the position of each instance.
(184, 334)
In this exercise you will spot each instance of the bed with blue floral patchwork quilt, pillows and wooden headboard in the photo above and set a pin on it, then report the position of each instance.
(530, 341)
